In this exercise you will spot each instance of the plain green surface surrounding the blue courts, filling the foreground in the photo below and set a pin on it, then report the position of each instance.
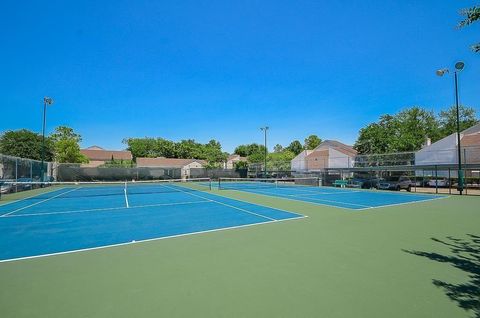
(414, 260)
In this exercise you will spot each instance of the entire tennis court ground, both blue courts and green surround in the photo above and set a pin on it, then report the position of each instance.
(381, 261)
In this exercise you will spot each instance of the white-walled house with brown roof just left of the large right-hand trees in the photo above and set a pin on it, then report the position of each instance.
(329, 154)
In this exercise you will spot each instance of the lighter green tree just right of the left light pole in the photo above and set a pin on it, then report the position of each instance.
(66, 146)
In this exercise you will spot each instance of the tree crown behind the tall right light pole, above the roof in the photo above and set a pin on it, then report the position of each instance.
(448, 119)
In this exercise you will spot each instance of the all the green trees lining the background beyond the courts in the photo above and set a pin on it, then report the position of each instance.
(402, 132)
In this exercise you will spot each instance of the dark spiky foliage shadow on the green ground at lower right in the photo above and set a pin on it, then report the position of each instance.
(465, 255)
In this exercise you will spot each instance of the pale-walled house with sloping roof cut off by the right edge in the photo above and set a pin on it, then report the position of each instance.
(445, 151)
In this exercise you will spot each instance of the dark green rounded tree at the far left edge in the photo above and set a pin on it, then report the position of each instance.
(25, 144)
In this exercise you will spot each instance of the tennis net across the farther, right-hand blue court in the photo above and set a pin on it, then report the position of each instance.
(255, 183)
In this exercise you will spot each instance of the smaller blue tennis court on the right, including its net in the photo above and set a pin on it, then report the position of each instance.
(308, 190)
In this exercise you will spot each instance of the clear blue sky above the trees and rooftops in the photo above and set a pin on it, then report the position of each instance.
(222, 69)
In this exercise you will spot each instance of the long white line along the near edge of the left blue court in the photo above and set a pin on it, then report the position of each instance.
(147, 240)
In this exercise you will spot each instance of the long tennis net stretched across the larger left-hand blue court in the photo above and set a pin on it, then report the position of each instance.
(47, 190)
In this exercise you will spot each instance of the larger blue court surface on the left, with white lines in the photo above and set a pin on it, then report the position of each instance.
(75, 218)
